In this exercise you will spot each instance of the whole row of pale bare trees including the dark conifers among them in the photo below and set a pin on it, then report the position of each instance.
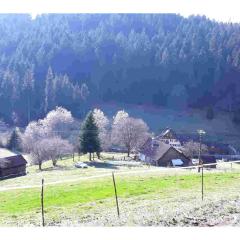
(55, 136)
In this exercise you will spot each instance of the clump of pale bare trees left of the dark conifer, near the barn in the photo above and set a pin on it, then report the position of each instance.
(42, 139)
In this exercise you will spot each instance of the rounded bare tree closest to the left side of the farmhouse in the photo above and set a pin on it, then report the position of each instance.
(130, 132)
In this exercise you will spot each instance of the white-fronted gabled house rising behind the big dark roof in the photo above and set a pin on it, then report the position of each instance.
(168, 136)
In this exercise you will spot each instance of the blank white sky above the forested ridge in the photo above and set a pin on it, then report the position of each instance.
(219, 10)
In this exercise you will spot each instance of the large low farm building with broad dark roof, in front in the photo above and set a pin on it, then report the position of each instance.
(158, 153)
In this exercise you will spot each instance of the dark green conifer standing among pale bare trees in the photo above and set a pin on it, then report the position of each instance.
(89, 136)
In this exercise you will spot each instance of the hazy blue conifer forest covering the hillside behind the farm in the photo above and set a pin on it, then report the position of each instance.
(78, 60)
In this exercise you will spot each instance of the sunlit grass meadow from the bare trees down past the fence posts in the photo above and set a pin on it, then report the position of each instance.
(87, 195)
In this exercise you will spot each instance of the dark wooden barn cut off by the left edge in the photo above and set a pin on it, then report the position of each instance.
(12, 166)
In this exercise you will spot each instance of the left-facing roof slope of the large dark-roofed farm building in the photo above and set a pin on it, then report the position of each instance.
(154, 149)
